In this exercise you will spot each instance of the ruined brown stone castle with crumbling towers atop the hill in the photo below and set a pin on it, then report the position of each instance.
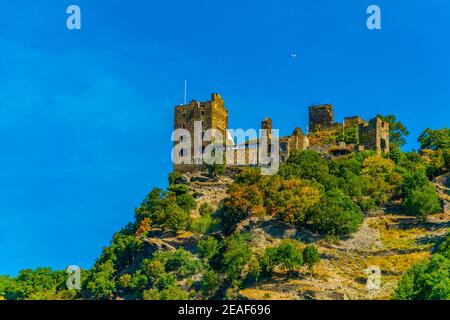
(325, 135)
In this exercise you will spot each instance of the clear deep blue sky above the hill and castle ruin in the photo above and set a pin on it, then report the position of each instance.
(86, 116)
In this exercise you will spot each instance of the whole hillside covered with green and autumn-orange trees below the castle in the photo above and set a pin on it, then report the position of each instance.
(351, 227)
